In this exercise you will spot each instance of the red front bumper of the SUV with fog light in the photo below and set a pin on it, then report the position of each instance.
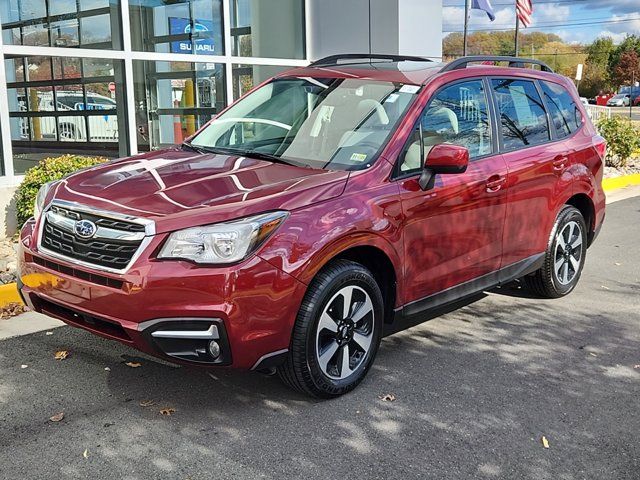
(248, 309)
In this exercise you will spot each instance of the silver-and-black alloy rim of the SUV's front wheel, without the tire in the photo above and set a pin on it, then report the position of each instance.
(345, 332)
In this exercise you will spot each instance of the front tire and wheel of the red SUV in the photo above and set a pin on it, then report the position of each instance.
(322, 333)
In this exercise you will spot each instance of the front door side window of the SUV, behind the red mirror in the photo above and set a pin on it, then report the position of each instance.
(457, 114)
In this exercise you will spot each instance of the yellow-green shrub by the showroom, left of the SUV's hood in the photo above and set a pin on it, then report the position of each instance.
(49, 169)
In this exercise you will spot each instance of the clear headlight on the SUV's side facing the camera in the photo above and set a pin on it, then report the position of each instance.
(222, 242)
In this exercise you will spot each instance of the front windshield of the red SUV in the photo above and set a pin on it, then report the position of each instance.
(335, 123)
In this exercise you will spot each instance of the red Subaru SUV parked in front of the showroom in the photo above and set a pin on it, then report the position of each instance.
(328, 206)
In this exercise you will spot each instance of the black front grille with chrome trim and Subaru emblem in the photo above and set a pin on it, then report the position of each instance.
(113, 251)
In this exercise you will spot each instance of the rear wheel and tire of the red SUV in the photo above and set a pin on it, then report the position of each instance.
(562, 267)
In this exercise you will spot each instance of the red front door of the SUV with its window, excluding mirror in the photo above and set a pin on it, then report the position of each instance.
(453, 232)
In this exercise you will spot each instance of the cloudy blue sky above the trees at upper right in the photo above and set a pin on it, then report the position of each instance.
(575, 21)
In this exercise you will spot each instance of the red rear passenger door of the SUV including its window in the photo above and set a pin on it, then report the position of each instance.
(536, 165)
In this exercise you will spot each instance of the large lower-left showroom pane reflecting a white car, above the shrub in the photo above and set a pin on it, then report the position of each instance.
(81, 118)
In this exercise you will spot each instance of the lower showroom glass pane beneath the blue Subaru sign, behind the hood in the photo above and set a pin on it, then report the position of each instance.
(174, 99)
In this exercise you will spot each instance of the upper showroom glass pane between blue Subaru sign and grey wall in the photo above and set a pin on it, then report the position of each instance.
(253, 24)
